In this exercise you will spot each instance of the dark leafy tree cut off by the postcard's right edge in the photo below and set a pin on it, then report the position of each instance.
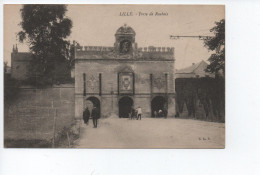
(216, 44)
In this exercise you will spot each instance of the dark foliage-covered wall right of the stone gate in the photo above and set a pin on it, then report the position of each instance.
(209, 92)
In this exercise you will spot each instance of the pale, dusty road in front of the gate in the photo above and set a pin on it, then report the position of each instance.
(152, 133)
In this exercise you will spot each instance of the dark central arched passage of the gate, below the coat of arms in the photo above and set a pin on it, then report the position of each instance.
(125, 104)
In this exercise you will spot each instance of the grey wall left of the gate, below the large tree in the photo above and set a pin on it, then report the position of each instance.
(31, 115)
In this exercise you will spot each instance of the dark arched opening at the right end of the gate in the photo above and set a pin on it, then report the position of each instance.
(158, 103)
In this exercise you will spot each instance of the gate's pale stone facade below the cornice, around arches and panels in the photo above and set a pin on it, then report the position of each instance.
(109, 70)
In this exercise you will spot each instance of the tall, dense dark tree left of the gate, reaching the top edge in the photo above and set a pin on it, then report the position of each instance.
(45, 28)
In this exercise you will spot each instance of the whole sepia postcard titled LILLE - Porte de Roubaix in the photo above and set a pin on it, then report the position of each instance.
(114, 76)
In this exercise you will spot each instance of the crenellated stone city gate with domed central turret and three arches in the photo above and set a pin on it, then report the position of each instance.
(116, 78)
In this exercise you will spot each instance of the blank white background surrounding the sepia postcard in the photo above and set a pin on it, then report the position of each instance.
(241, 155)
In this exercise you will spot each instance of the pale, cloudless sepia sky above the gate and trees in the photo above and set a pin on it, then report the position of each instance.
(95, 25)
